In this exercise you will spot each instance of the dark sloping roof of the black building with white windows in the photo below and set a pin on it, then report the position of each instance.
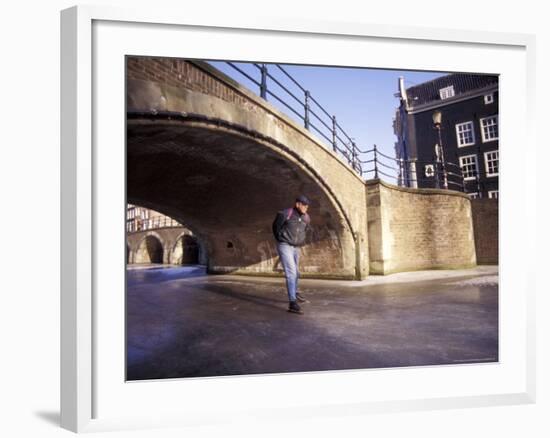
(463, 83)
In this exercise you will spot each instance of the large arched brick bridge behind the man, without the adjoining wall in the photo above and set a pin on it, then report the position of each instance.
(228, 166)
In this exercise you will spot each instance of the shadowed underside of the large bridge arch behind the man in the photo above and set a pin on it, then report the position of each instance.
(226, 183)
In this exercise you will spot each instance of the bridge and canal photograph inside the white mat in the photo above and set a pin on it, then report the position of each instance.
(288, 218)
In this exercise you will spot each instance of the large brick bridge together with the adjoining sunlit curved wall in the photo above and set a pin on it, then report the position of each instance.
(206, 151)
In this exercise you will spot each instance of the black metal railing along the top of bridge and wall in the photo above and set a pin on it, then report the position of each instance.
(368, 163)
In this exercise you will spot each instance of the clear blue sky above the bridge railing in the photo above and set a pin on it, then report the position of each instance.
(362, 99)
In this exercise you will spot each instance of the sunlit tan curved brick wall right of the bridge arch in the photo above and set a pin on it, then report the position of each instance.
(414, 229)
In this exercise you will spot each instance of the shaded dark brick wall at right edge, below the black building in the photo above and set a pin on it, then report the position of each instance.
(485, 218)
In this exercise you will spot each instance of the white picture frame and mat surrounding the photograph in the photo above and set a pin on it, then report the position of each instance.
(83, 372)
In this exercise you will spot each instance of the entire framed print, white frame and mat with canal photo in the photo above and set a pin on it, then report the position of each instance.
(235, 228)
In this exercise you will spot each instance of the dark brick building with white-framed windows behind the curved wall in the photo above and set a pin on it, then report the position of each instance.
(461, 140)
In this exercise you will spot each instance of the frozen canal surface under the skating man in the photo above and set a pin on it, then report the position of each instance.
(184, 323)
